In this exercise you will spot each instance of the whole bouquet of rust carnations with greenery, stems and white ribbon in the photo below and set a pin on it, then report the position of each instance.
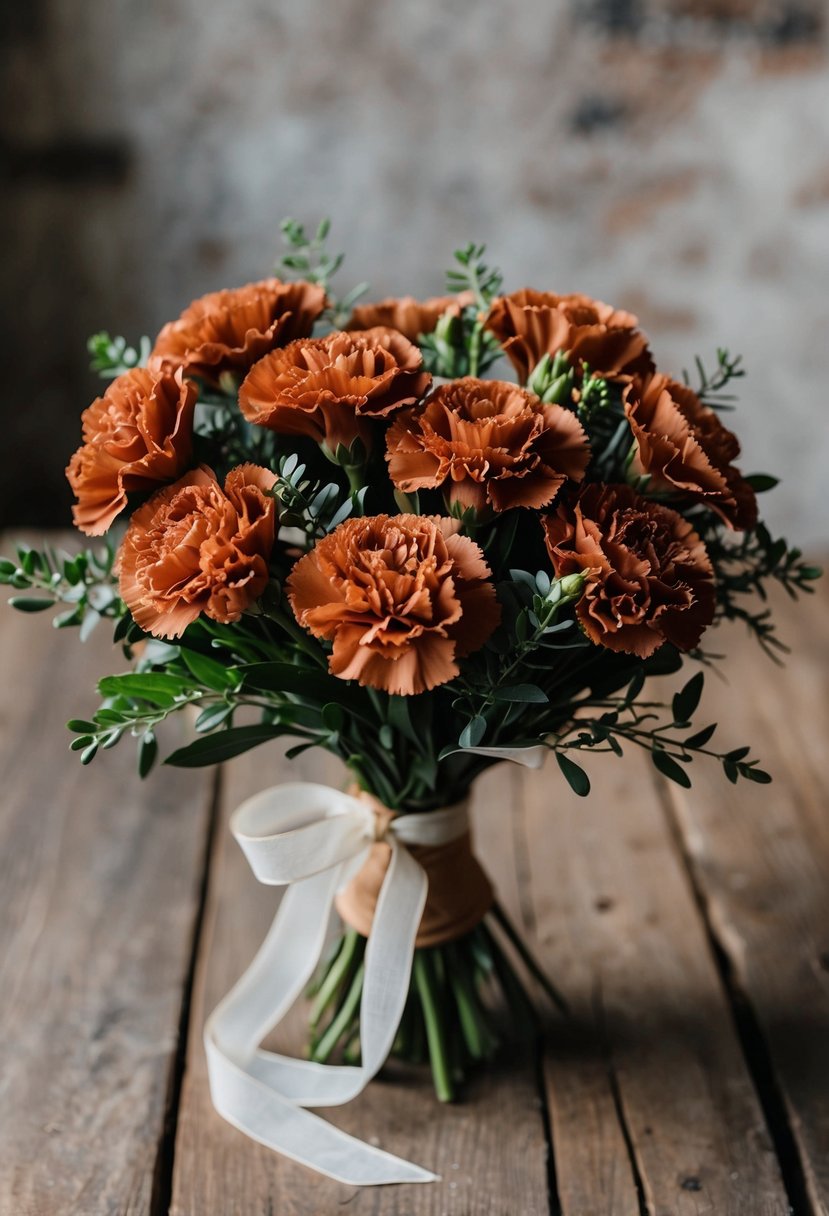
(428, 537)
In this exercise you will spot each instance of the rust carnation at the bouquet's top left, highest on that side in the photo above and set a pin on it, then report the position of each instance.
(232, 330)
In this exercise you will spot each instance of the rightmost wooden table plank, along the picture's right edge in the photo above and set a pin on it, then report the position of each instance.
(760, 858)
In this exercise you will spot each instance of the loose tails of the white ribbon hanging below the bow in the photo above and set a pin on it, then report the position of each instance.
(263, 1094)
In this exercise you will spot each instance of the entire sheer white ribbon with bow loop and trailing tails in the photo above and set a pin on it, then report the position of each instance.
(311, 837)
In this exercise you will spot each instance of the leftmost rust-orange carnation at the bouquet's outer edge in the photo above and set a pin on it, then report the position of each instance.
(138, 435)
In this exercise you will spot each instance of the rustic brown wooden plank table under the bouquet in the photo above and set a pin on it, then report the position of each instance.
(690, 932)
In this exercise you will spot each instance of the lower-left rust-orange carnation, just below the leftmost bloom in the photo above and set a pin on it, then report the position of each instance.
(195, 549)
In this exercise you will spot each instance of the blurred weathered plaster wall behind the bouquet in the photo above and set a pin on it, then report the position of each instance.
(670, 157)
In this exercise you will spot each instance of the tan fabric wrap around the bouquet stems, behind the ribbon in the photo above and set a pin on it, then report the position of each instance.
(460, 892)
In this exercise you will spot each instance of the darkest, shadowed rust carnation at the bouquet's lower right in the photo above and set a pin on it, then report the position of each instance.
(651, 578)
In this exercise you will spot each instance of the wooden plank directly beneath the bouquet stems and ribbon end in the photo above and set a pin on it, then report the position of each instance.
(490, 1151)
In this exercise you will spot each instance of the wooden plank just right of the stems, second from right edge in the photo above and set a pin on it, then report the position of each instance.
(652, 1033)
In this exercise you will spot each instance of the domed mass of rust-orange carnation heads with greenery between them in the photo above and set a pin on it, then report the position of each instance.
(471, 521)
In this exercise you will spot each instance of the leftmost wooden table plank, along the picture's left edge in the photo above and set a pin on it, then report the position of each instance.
(99, 890)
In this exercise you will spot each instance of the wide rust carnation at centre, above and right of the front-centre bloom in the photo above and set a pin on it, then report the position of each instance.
(490, 442)
